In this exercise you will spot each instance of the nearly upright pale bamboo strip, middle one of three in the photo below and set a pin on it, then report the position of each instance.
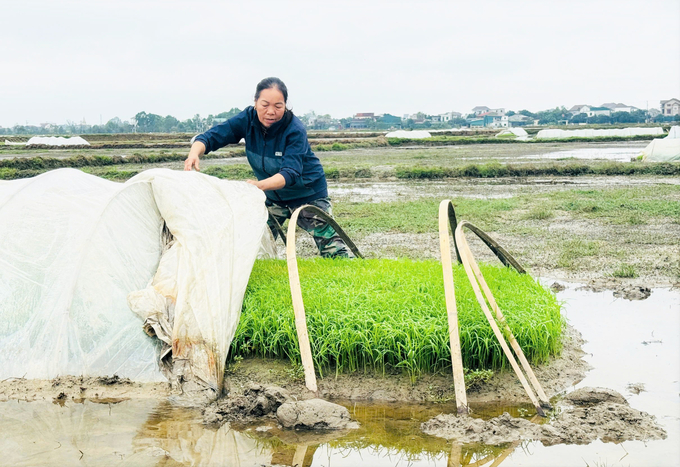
(445, 214)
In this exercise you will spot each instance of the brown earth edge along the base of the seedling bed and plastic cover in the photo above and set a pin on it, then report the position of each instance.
(504, 386)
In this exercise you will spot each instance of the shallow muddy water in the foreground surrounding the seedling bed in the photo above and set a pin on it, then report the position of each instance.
(632, 345)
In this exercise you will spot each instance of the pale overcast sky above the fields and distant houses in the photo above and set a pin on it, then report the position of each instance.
(68, 60)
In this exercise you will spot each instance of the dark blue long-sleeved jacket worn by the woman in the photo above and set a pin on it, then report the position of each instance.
(283, 149)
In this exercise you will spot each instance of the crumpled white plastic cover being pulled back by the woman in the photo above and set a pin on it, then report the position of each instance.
(74, 246)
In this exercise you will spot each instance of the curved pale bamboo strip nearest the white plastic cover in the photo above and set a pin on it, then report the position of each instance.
(298, 304)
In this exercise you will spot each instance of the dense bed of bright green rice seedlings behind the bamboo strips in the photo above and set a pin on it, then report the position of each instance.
(386, 315)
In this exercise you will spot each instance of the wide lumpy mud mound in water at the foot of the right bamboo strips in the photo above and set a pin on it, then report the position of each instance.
(601, 414)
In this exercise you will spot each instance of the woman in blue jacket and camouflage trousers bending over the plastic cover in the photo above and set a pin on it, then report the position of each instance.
(279, 153)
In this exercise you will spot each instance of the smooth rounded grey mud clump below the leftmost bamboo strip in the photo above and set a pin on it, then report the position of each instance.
(314, 414)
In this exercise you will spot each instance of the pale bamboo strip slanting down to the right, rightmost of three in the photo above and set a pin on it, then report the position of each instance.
(468, 260)
